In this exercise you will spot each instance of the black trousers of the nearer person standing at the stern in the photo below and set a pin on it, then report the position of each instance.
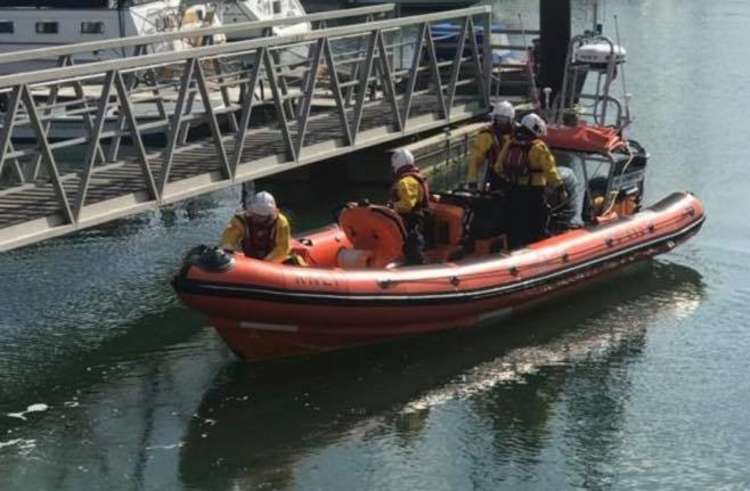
(527, 215)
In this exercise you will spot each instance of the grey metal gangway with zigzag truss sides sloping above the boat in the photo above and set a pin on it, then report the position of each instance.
(384, 80)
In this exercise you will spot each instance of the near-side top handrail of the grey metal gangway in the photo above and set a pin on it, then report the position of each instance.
(156, 59)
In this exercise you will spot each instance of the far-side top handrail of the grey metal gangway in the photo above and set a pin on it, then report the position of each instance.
(132, 41)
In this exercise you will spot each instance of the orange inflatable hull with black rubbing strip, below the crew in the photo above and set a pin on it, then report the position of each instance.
(265, 310)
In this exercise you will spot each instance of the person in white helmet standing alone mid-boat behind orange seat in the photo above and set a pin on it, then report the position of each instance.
(410, 199)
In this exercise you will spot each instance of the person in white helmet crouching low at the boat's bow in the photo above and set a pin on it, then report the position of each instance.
(261, 231)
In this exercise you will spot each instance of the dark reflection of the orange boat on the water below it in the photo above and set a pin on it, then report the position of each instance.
(485, 396)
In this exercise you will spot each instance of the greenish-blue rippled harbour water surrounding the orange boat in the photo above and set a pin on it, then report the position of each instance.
(638, 382)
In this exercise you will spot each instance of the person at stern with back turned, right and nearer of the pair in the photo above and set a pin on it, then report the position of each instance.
(528, 167)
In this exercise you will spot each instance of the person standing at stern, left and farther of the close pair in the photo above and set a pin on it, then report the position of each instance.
(487, 146)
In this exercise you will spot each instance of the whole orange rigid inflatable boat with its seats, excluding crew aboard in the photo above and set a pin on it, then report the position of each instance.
(355, 291)
